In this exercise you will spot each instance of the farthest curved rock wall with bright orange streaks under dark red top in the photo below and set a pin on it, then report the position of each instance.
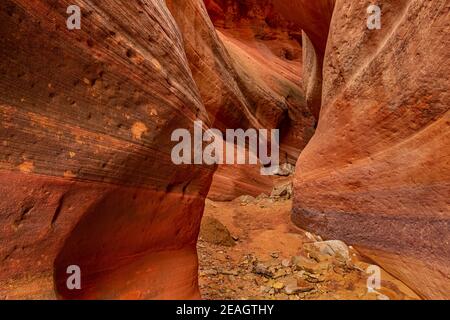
(266, 55)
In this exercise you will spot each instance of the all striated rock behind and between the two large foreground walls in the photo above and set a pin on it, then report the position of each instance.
(246, 62)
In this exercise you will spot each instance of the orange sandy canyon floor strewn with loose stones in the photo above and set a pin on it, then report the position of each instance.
(249, 250)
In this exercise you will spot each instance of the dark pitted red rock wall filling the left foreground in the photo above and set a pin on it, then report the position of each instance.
(86, 175)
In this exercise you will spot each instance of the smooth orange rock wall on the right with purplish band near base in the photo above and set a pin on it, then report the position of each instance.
(376, 174)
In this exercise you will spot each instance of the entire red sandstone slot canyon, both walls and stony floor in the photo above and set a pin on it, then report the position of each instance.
(87, 178)
